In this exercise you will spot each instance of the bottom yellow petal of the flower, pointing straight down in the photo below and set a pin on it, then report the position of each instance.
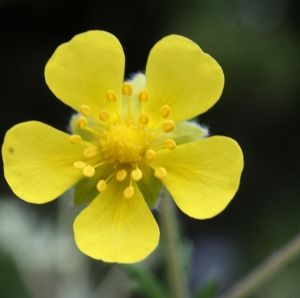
(115, 229)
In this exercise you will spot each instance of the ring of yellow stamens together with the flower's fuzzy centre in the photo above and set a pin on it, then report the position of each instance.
(124, 144)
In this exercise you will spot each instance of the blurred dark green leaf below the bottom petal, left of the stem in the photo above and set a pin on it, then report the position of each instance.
(146, 283)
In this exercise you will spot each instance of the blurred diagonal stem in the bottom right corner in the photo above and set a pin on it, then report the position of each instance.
(265, 271)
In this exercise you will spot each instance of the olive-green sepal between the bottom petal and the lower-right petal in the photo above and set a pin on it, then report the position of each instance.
(149, 185)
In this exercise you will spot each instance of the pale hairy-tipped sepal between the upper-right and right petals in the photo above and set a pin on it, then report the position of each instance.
(184, 132)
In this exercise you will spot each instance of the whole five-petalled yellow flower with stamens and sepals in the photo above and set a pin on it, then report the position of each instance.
(128, 138)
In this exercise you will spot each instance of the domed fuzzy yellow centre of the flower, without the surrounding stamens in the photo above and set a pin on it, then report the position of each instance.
(125, 143)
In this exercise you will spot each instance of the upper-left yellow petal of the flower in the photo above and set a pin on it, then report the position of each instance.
(81, 71)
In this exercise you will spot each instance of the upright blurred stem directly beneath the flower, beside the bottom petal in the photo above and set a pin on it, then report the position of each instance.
(170, 236)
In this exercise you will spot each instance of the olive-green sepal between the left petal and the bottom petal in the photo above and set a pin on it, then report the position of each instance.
(85, 189)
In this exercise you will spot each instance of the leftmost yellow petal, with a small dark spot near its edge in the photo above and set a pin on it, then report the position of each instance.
(38, 161)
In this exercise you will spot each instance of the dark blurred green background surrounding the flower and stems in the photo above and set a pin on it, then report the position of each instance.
(256, 43)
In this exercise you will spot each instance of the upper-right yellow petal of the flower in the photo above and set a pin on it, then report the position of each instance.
(181, 76)
